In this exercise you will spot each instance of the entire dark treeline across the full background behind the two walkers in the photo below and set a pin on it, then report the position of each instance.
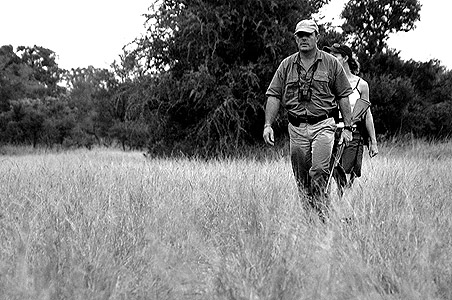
(195, 82)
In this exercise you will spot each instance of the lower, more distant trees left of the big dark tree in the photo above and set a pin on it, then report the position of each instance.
(41, 104)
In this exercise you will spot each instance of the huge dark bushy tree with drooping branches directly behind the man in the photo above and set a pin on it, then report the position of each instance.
(214, 61)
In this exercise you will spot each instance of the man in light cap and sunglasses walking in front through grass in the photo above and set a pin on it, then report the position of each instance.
(310, 84)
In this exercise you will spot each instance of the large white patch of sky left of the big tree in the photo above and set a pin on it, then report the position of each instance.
(81, 32)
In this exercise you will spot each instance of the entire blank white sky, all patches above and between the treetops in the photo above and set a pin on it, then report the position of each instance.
(93, 32)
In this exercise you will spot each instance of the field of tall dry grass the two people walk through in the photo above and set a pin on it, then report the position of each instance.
(105, 224)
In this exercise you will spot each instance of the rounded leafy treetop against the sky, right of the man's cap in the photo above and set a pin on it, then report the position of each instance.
(368, 23)
